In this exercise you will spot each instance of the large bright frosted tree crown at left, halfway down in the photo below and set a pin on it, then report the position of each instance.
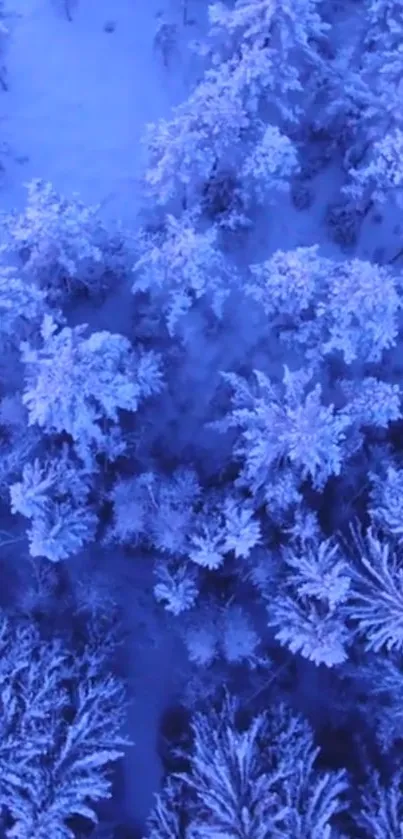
(78, 385)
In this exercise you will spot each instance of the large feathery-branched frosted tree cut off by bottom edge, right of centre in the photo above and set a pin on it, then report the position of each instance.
(259, 782)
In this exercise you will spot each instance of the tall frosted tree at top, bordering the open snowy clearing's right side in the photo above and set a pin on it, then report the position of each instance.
(217, 125)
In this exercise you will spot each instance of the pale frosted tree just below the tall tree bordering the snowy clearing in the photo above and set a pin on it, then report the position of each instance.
(180, 266)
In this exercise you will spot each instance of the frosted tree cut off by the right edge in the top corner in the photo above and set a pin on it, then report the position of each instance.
(371, 81)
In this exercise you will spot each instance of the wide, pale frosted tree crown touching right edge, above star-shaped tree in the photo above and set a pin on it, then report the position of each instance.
(323, 307)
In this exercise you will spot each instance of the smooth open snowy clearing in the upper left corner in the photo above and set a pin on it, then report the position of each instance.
(79, 97)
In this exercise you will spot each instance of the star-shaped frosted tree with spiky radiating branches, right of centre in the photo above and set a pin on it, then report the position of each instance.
(280, 425)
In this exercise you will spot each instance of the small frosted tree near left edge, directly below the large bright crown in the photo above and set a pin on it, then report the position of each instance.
(54, 495)
